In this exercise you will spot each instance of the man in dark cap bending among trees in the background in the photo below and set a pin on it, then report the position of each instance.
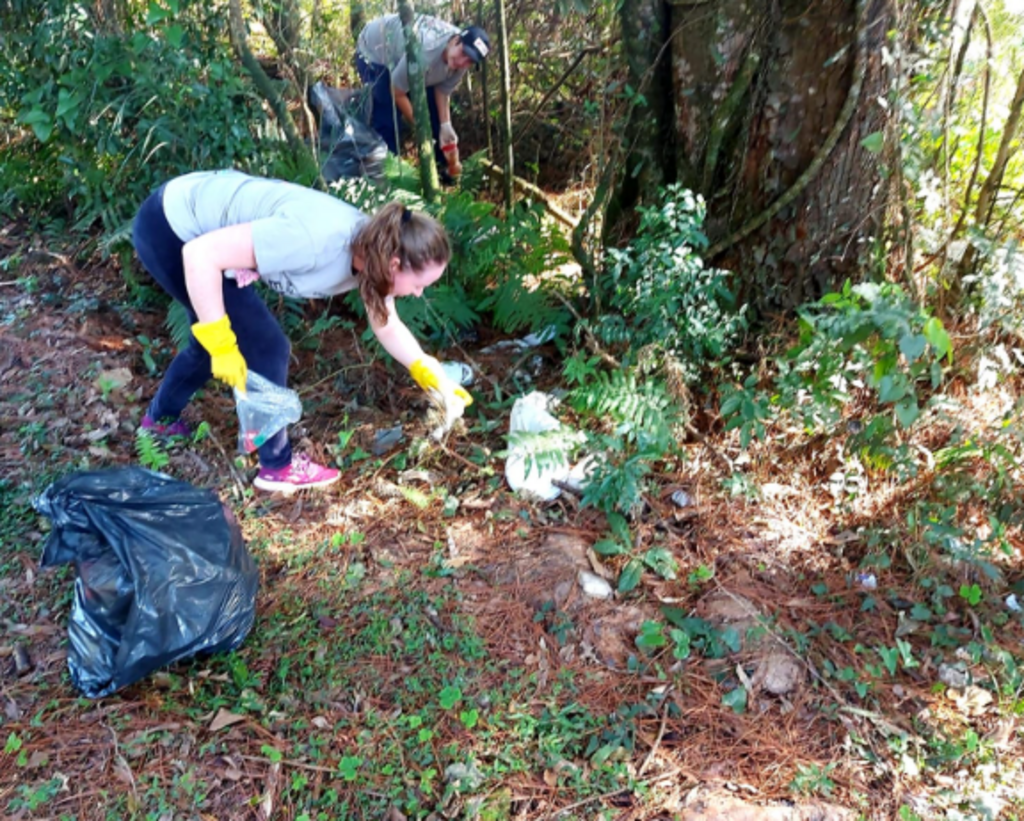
(382, 66)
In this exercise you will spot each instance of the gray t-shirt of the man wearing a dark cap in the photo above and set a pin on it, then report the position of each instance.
(383, 42)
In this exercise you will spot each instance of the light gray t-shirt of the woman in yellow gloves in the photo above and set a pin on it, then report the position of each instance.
(303, 239)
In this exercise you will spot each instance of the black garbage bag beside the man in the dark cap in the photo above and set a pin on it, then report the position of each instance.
(353, 148)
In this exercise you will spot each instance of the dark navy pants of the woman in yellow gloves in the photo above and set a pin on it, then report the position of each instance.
(262, 341)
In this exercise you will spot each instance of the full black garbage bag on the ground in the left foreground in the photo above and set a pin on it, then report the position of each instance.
(163, 574)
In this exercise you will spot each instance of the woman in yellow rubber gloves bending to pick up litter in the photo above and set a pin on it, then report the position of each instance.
(206, 236)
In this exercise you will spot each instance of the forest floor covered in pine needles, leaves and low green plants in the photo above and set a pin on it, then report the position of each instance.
(423, 647)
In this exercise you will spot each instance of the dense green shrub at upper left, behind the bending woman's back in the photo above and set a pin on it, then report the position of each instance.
(112, 115)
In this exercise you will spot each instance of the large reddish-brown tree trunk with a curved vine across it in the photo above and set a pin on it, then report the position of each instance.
(773, 103)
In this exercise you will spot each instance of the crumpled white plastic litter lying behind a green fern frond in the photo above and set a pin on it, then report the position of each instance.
(530, 415)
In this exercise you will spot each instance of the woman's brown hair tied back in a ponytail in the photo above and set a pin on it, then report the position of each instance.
(416, 239)
